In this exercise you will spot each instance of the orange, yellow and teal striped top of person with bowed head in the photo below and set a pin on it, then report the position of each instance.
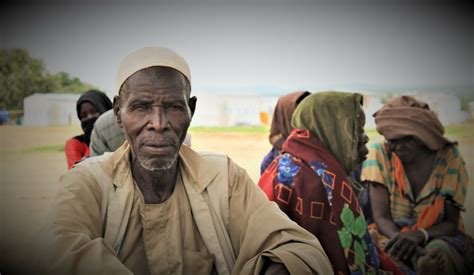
(449, 179)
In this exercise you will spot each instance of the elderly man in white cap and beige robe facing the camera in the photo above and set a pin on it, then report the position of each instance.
(156, 207)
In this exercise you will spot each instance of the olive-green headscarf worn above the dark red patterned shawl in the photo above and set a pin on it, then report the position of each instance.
(337, 120)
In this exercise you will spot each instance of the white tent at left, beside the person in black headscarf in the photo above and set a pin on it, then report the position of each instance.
(50, 109)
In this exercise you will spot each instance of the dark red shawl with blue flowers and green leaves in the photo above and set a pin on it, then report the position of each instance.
(311, 187)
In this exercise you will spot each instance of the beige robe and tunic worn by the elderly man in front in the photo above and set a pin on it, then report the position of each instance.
(100, 224)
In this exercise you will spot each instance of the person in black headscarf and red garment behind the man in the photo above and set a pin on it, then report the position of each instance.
(89, 107)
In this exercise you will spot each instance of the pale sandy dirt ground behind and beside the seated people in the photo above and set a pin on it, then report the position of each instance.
(29, 178)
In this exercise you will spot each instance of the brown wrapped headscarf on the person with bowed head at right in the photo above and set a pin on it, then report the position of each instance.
(404, 116)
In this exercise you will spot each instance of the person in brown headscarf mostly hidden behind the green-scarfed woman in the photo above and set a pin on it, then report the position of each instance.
(281, 125)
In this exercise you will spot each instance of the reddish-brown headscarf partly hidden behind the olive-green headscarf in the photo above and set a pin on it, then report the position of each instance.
(281, 121)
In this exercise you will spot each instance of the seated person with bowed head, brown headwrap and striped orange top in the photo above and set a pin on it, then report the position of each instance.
(418, 185)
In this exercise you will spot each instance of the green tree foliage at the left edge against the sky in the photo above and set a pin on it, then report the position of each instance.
(22, 76)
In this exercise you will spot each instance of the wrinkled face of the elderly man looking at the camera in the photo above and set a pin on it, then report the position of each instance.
(155, 112)
